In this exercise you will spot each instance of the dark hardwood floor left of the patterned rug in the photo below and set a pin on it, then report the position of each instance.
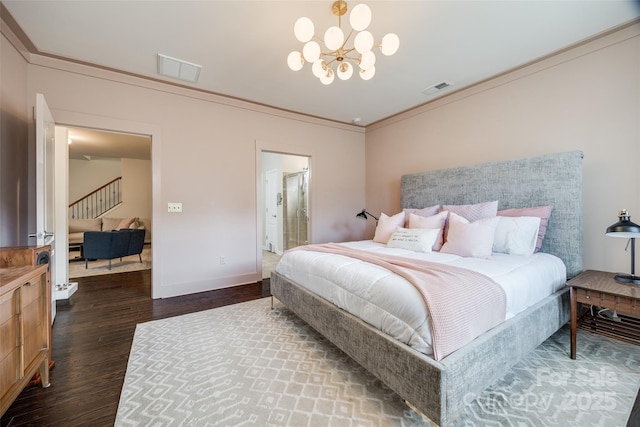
(91, 340)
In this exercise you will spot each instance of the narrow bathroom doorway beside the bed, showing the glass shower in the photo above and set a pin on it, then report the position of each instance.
(285, 210)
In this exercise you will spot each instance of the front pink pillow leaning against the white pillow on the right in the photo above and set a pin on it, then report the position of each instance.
(470, 239)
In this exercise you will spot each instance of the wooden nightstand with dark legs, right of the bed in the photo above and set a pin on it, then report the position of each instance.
(599, 289)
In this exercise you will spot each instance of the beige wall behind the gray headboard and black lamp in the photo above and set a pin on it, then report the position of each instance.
(585, 99)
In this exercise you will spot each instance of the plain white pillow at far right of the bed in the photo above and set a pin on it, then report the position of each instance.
(516, 235)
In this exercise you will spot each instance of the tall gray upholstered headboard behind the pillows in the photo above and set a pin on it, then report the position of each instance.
(554, 179)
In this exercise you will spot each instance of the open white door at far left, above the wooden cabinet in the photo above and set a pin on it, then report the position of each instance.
(45, 185)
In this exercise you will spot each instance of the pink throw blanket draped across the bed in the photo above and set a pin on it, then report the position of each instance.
(463, 304)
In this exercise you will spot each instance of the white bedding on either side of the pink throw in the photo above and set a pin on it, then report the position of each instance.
(391, 304)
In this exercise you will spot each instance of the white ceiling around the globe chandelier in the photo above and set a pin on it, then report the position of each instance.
(243, 45)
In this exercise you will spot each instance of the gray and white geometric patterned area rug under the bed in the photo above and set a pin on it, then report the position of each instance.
(247, 364)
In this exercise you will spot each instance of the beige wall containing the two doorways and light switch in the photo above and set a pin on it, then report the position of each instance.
(204, 156)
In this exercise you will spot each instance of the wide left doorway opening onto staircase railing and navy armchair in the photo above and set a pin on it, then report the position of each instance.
(109, 179)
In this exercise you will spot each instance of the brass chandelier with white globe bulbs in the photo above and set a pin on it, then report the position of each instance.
(338, 58)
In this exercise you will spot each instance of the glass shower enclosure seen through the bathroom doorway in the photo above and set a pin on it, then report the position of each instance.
(295, 208)
